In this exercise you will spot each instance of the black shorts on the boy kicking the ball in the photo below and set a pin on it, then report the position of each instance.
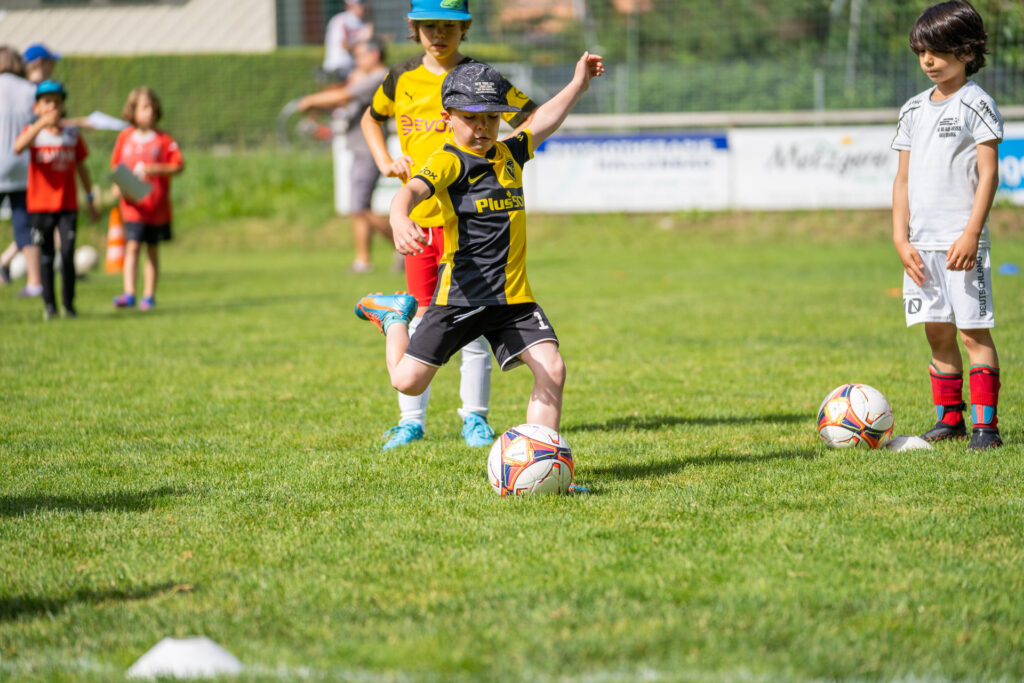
(510, 330)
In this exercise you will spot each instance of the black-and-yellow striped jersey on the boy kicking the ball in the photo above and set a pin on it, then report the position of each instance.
(485, 219)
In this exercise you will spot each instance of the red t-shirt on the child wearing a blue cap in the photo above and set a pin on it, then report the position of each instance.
(54, 159)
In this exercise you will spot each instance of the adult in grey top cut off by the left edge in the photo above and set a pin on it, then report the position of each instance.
(18, 97)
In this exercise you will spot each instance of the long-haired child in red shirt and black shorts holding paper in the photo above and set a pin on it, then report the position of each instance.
(154, 157)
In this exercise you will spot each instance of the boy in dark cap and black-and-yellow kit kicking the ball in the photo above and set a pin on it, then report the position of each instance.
(482, 287)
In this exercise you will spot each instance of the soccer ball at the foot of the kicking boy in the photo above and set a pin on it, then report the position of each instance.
(530, 459)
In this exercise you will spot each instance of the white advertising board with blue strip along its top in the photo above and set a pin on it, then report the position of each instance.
(648, 173)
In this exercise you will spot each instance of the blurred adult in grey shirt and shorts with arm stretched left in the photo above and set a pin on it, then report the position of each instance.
(349, 103)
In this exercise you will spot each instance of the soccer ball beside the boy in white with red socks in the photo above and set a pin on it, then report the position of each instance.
(856, 415)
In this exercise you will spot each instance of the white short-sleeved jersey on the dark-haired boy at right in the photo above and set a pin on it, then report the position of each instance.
(943, 139)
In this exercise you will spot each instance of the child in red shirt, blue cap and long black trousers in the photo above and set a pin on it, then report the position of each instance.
(57, 156)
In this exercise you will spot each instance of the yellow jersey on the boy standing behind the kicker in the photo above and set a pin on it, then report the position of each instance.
(412, 95)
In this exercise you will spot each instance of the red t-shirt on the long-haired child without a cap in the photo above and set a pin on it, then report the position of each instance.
(136, 150)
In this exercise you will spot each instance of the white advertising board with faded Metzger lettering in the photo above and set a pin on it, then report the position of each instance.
(809, 168)
